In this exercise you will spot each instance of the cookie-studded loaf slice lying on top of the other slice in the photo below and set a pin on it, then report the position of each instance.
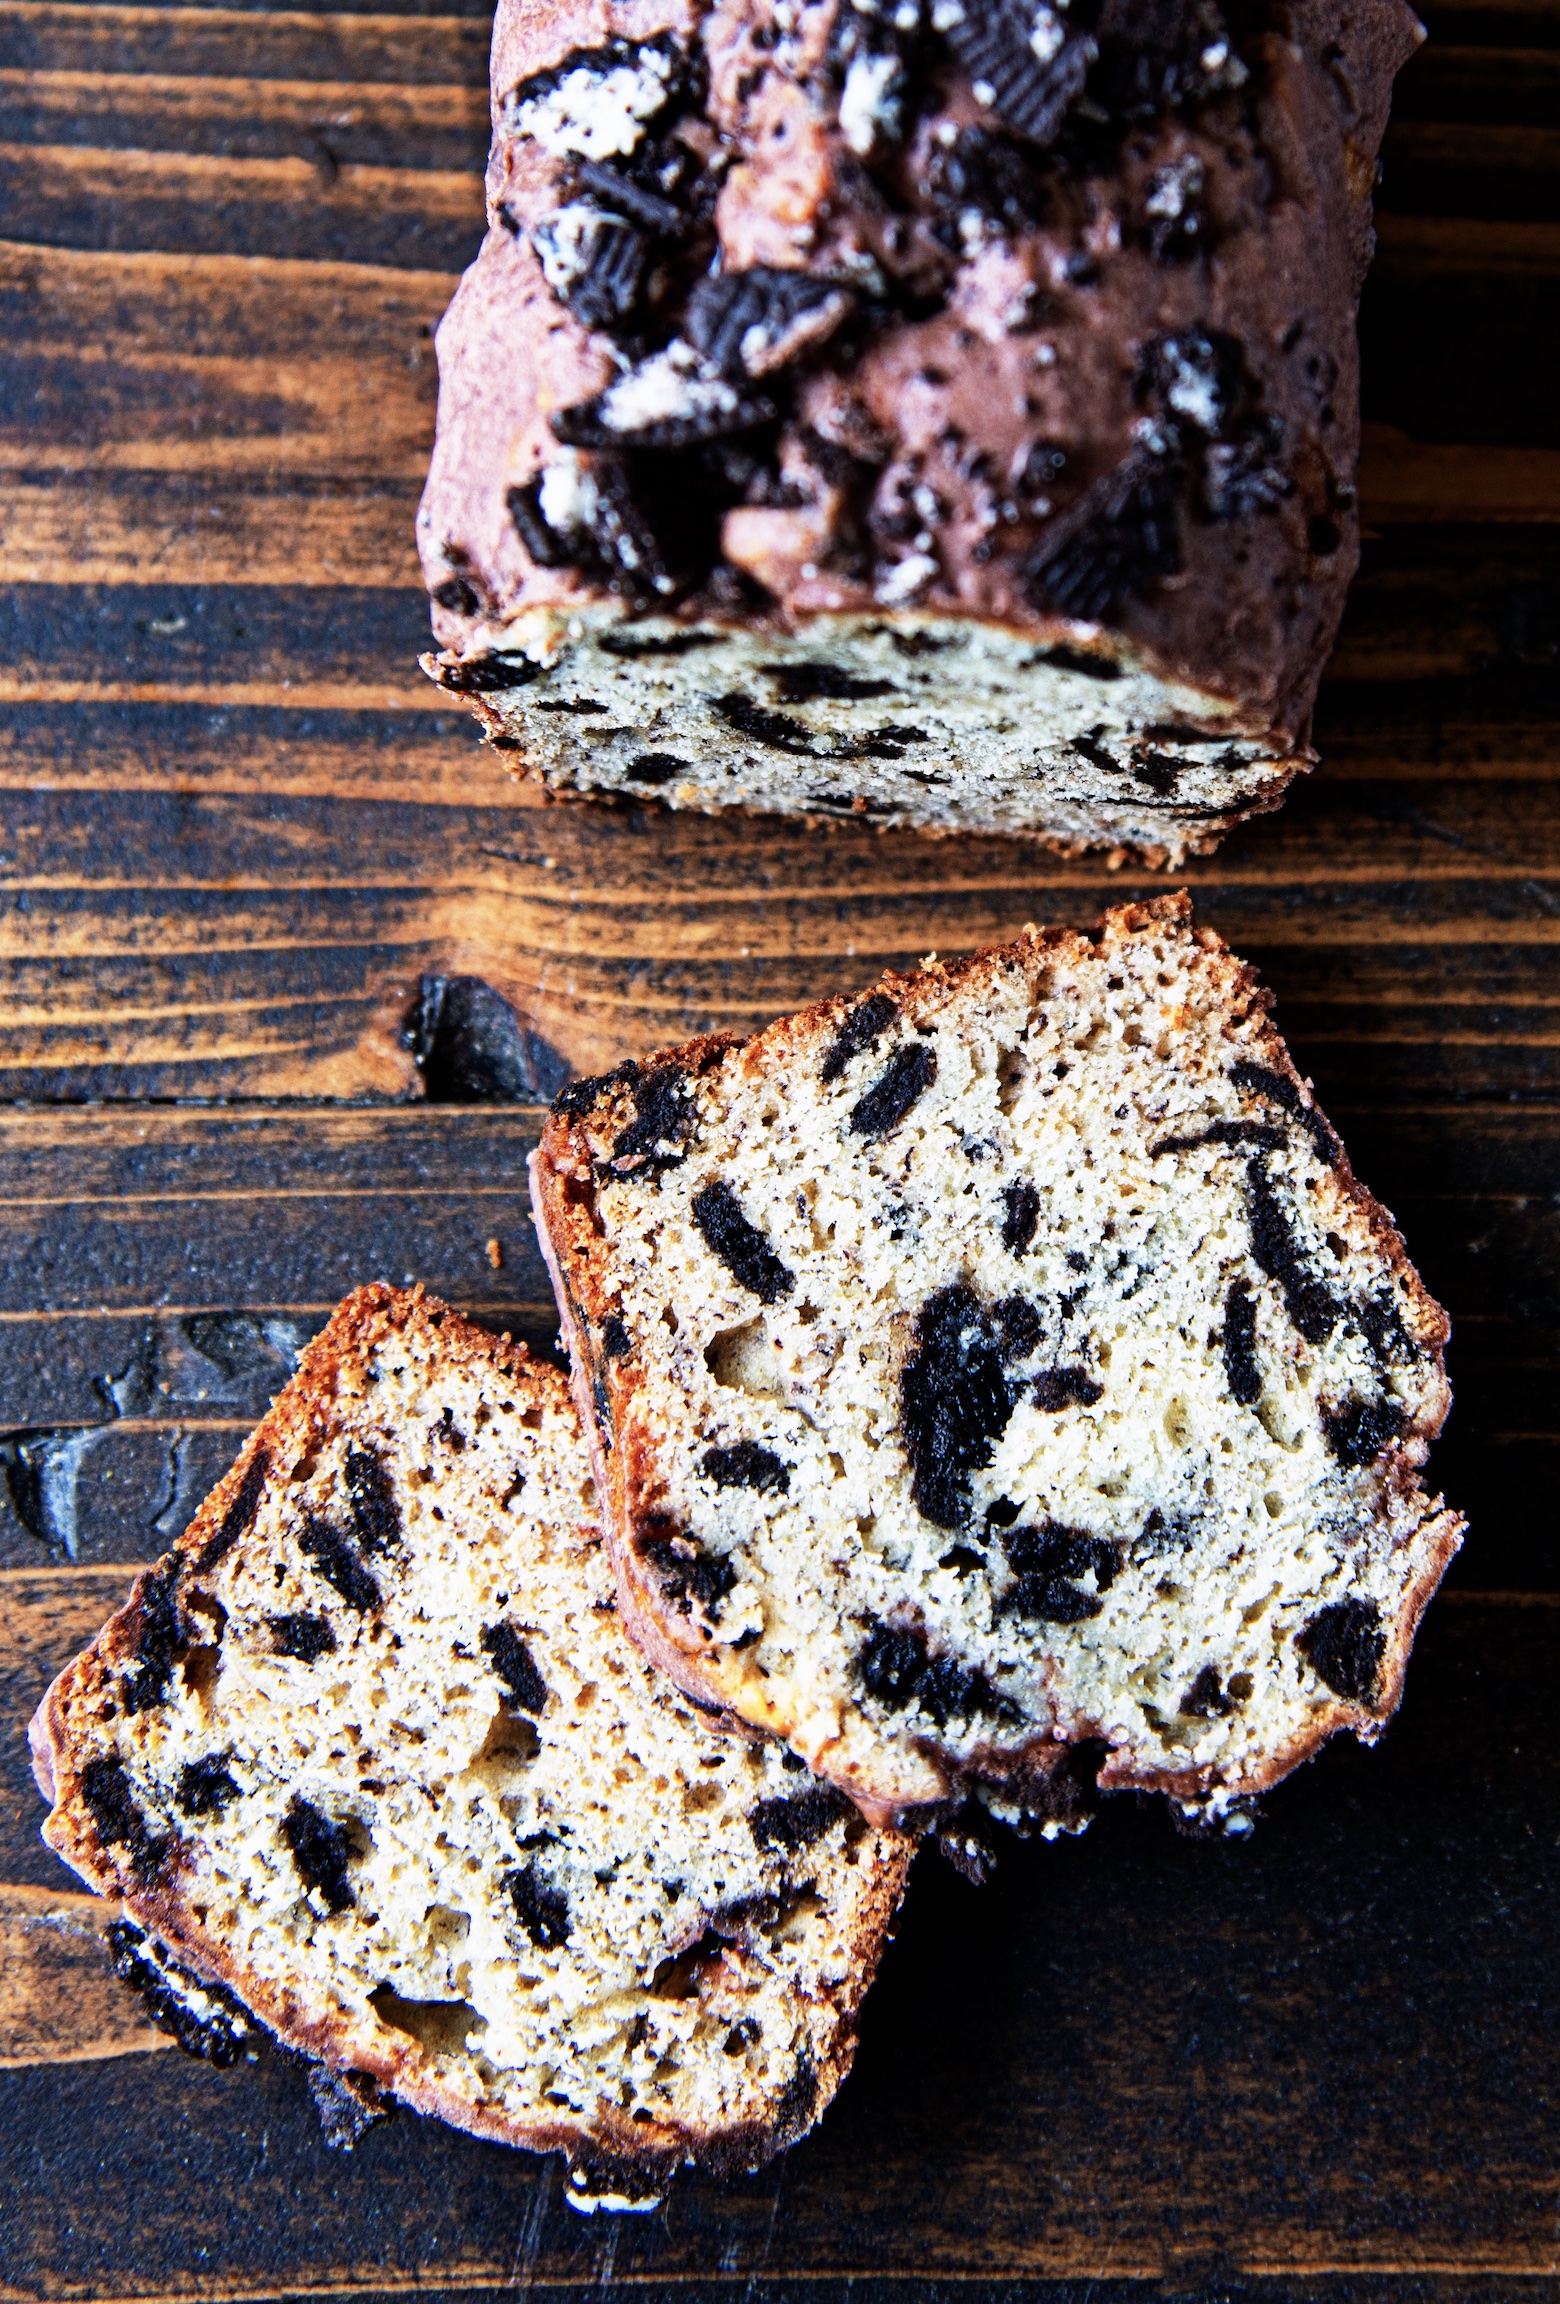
(1001, 1381)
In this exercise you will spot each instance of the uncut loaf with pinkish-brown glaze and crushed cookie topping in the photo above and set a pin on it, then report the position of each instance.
(1010, 333)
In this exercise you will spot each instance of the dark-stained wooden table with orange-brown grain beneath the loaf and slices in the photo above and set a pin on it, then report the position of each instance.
(241, 831)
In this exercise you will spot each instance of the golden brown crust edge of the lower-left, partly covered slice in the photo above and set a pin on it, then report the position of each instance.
(633, 2155)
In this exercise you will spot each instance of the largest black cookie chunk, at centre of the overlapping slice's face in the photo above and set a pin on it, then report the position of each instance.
(955, 1402)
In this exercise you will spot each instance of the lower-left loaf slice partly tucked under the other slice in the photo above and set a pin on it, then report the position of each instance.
(372, 1750)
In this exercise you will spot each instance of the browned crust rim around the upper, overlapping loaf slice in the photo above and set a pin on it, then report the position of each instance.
(626, 1455)
